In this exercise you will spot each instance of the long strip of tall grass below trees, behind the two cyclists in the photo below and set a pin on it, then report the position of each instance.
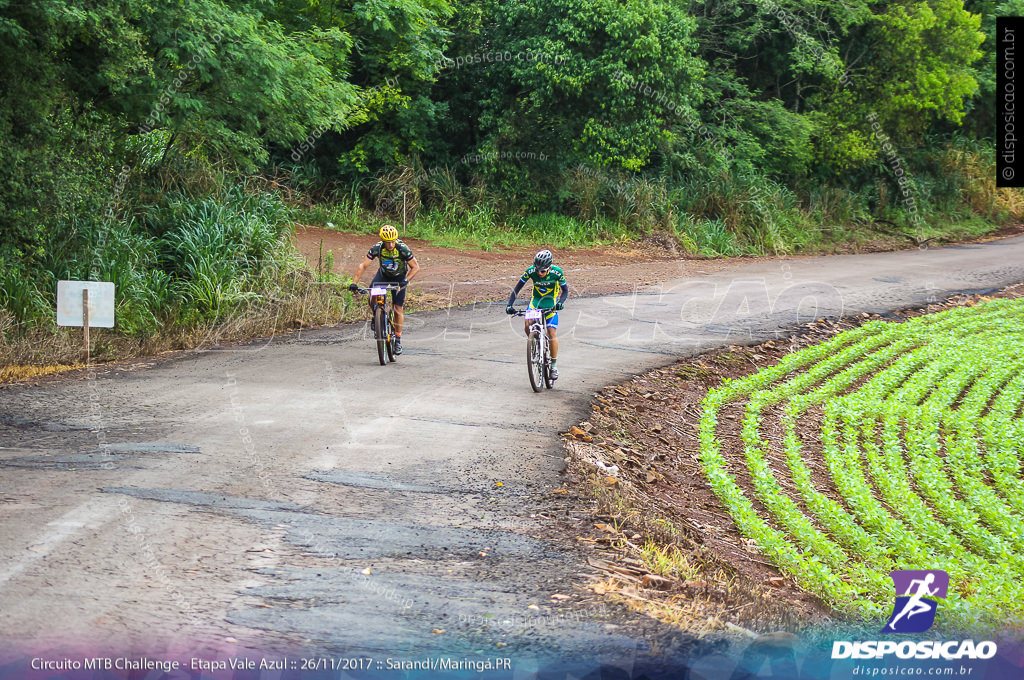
(709, 212)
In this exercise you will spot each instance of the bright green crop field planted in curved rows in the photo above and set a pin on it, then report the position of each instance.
(918, 430)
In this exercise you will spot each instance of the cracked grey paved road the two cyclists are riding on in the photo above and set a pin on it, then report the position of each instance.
(292, 494)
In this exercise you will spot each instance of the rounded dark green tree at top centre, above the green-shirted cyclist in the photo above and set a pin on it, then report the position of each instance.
(593, 83)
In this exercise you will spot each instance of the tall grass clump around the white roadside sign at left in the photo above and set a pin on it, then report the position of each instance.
(181, 265)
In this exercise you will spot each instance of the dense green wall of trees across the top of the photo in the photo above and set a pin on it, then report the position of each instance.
(99, 100)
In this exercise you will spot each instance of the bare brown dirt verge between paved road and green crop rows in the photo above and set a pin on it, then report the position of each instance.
(638, 455)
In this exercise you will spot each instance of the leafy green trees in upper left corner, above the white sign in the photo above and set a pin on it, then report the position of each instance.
(88, 88)
